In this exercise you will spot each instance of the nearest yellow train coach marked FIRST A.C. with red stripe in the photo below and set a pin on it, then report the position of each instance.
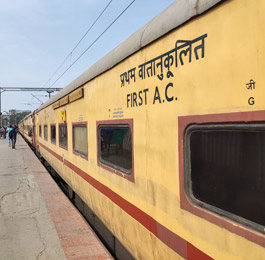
(163, 140)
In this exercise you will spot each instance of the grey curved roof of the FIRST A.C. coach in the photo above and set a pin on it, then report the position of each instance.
(172, 17)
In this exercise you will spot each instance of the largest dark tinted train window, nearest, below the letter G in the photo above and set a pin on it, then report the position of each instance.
(225, 170)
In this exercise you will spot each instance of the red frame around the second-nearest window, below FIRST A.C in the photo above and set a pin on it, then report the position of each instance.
(108, 166)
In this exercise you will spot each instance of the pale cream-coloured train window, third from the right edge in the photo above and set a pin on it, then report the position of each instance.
(80, 138)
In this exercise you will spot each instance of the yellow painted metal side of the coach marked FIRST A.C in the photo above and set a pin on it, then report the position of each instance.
(229, 41)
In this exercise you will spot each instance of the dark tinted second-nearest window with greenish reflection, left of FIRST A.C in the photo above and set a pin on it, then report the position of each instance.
(115, 147)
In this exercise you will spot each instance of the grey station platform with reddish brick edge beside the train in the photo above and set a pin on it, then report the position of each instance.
(37, 220)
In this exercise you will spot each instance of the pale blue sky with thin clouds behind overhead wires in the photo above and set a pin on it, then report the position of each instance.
(36, 36)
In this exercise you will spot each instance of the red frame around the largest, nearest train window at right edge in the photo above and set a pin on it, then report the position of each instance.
(186, 203)
